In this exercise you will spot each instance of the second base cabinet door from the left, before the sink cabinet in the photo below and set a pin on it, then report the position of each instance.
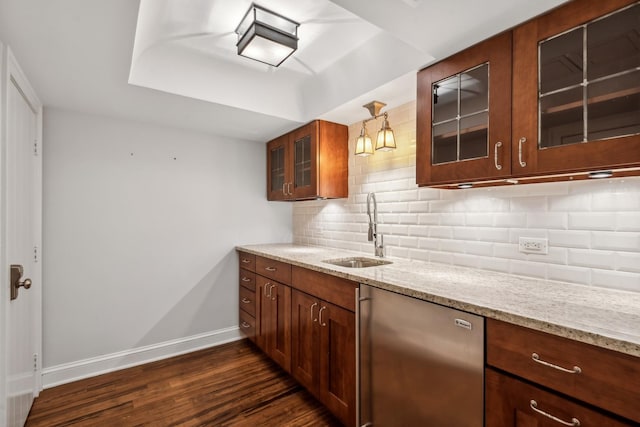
(280, 328)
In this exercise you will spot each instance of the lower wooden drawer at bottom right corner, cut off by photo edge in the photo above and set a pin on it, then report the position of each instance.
(510, 402)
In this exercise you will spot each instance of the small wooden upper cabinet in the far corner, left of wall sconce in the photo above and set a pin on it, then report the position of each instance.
(308, 163)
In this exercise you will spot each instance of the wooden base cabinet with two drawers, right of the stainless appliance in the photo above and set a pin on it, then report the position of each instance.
(605, 380)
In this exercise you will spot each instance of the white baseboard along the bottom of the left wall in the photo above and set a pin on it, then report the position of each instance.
(91, 367)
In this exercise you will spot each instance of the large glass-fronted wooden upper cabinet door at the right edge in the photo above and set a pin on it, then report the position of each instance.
(576, 89)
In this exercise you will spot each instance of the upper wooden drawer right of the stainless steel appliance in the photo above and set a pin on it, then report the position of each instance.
(604, 378)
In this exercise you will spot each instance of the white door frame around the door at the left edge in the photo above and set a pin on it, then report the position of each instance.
(10, 71)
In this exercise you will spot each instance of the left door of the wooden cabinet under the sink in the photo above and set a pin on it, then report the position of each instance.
(305, 340)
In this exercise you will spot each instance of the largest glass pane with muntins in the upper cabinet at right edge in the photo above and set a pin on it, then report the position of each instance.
(590, 81)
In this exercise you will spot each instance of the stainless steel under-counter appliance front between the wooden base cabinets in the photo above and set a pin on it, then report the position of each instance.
(420, 364)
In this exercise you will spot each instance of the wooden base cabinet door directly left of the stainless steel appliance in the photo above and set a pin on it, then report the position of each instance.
(337, 361)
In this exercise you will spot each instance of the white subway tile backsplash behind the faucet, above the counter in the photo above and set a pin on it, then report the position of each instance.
(593, 227)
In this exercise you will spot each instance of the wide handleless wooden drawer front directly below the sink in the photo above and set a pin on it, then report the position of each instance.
(335, 290)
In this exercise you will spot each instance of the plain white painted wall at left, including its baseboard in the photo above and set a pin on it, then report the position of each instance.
(140, 224)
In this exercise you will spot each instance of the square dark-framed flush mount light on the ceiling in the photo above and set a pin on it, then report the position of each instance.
(266, 36)
